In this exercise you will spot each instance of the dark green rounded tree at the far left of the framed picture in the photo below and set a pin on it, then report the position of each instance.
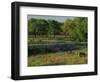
(37, 26)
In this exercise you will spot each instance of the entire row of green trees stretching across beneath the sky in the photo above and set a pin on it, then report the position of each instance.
(74, 29)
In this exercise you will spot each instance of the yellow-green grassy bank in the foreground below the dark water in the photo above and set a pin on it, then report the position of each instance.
(59, 58)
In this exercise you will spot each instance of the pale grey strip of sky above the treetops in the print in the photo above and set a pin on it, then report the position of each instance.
(48, 17)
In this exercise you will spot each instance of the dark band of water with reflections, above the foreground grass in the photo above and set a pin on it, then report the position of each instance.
(51, 48)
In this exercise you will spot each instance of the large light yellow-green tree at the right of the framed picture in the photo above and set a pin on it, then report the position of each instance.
(75, 29)
